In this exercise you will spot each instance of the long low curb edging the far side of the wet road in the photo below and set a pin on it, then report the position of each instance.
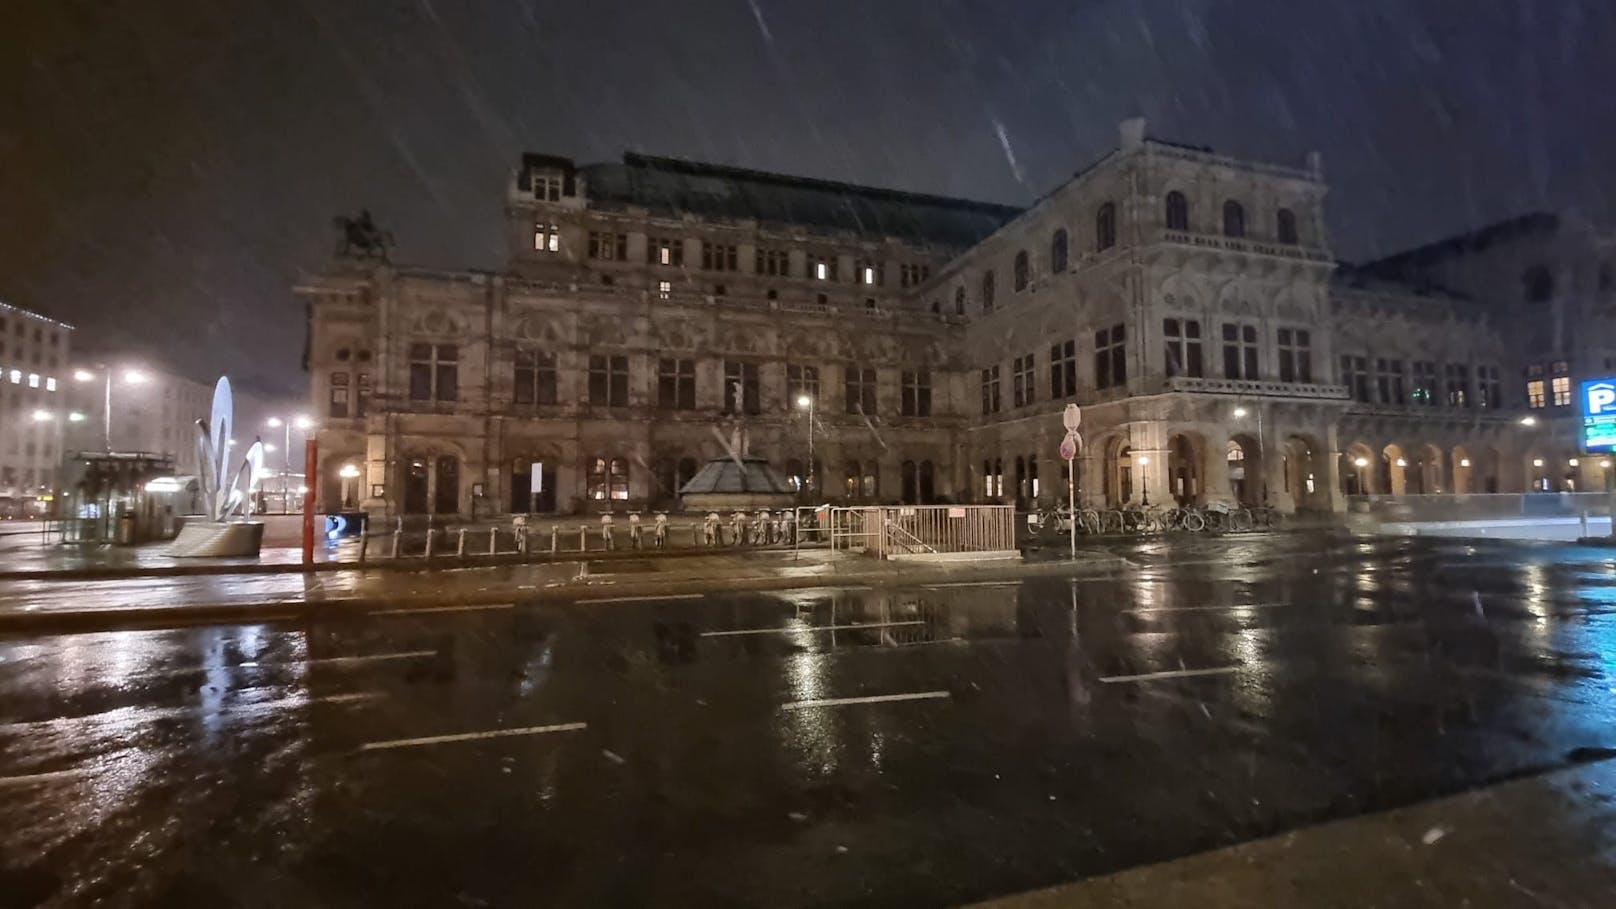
(80, 622)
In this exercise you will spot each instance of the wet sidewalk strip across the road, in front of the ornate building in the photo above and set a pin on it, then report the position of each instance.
(67, 606)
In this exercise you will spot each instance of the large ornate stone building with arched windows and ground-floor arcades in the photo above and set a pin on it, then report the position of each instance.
(1189, 302)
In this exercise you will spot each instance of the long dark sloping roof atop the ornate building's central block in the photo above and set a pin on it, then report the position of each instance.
(671, 187)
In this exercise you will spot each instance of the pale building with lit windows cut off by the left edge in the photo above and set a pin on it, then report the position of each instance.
(33, 357)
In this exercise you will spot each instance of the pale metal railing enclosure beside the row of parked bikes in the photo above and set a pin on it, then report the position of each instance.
(901, 531)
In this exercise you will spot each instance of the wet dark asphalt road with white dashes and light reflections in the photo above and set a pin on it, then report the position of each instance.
(705, 751)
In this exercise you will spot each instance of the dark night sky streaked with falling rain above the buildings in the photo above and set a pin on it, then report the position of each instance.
(169, 169)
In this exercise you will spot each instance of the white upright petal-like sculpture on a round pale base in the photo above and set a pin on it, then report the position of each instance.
(224, 493)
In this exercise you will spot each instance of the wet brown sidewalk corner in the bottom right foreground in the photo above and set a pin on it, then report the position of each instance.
(1546, 840)
